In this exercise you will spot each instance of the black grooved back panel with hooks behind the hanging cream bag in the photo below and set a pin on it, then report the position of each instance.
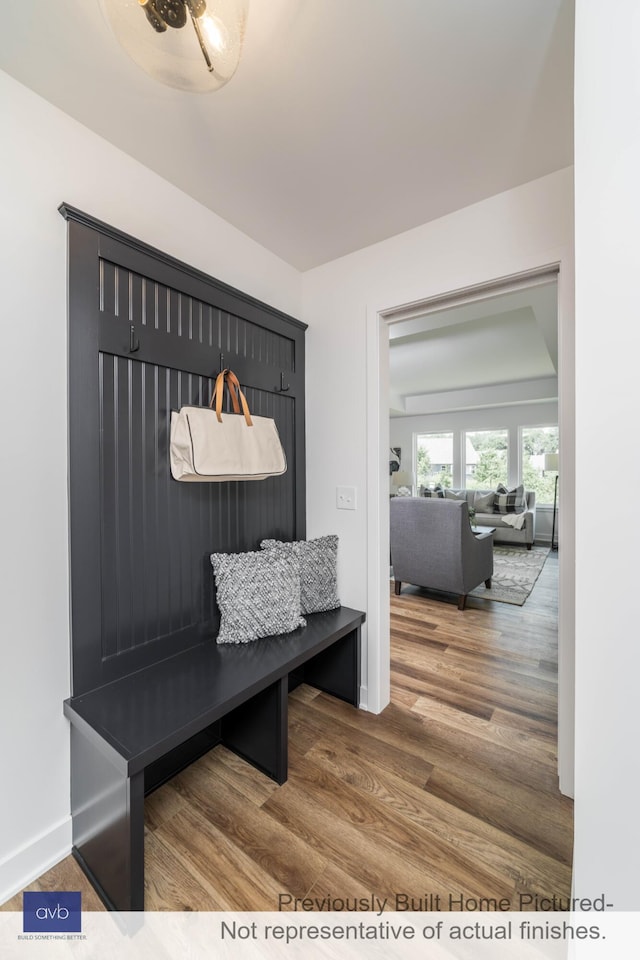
(141, 541)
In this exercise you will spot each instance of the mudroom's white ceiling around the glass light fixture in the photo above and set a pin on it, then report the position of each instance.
(348, 121)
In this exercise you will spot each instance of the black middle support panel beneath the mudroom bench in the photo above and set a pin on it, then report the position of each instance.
(257, 730)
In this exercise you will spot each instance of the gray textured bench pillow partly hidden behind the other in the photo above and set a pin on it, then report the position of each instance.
(318, 562)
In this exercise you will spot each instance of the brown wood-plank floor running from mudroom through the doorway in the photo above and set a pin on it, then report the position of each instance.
(450, 792)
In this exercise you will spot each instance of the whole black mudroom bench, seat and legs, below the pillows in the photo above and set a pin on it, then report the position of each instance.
(130, 736)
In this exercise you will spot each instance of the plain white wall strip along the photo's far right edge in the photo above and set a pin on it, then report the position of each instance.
(607, 145)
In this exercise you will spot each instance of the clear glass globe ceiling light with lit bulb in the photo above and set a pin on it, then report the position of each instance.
(194, 45)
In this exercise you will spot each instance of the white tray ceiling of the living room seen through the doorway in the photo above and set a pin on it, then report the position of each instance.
(499, 350)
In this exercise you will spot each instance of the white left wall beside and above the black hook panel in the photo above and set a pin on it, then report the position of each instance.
(47, 158)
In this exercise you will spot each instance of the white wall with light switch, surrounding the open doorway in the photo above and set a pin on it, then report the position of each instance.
(517, 231)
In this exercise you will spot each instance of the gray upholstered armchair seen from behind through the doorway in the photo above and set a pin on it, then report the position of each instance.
(432, 546)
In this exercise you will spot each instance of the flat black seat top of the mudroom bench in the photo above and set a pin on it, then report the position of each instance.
(147, 713)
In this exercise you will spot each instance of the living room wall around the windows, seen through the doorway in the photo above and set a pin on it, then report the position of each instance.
(402, 431)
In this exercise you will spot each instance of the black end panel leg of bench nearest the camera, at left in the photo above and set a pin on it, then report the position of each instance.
(107, 808)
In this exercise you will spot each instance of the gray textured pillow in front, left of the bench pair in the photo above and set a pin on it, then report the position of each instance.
(258, 595)
